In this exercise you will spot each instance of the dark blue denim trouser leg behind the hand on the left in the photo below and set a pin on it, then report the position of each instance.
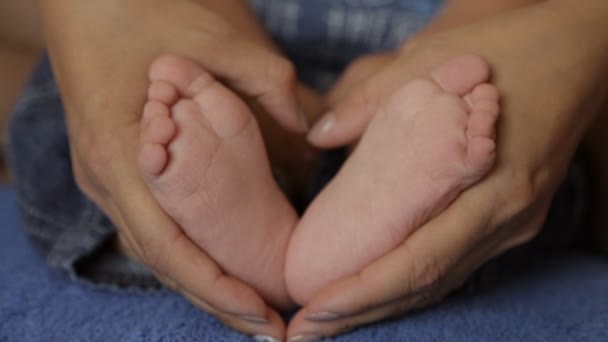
(62, 223)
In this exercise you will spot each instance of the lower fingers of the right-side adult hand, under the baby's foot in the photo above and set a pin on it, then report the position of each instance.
(435, 260)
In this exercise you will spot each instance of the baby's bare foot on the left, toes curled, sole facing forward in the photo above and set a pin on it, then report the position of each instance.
(203, 158)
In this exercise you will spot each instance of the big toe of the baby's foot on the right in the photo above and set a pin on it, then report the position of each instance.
(462, 74)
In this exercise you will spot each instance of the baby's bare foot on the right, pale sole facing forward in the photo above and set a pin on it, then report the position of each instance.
(429, 142)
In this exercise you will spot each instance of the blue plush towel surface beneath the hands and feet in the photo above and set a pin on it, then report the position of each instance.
(563, 299)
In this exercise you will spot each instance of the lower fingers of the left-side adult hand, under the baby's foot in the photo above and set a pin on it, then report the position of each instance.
(178, 262)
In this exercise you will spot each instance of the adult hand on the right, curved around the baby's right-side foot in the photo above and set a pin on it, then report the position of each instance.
(549, 65)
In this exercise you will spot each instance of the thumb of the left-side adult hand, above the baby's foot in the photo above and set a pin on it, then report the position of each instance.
(249, 67)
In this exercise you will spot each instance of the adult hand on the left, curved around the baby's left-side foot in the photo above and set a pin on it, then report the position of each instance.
(100, 53)
